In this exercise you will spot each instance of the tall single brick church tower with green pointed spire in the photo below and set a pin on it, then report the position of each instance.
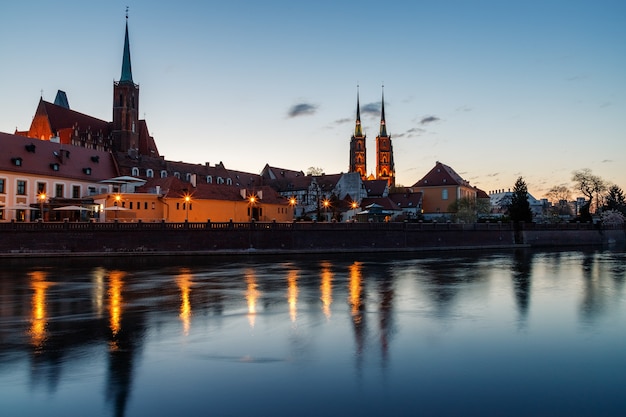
(125, 105)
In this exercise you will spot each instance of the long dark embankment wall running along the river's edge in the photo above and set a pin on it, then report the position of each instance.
(111, 238)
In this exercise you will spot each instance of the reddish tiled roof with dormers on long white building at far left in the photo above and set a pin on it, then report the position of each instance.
(49, 159)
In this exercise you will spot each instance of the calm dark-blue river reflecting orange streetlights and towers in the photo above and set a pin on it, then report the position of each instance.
(512, 333)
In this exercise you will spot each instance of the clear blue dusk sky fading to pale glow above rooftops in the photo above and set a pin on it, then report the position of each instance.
(494, 89)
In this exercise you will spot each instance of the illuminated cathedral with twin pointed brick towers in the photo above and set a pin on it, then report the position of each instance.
(385, 169)
